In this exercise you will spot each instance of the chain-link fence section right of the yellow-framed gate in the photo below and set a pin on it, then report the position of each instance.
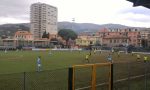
(131, 76)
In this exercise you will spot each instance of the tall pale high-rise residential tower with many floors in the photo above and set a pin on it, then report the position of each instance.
(43, 17)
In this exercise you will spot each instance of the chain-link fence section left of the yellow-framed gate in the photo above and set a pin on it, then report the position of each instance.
(44, 80)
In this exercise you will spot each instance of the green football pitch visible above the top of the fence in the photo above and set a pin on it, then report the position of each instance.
(25, 61)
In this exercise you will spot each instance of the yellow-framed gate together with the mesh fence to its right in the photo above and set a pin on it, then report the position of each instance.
(114, 76)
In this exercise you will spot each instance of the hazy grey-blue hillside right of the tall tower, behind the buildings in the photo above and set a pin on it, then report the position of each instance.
(82, 27)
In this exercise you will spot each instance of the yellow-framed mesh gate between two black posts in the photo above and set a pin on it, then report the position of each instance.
(91, 77)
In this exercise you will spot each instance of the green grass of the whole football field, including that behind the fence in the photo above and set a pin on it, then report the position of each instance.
(55, 70)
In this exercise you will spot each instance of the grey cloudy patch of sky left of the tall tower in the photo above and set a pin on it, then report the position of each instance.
(14, 11)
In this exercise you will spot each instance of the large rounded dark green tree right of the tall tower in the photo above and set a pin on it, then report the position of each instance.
(66, 34)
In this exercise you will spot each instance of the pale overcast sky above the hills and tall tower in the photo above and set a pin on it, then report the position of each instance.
(84, 11)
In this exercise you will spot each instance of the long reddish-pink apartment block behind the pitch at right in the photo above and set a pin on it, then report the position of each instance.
(122, 37)
